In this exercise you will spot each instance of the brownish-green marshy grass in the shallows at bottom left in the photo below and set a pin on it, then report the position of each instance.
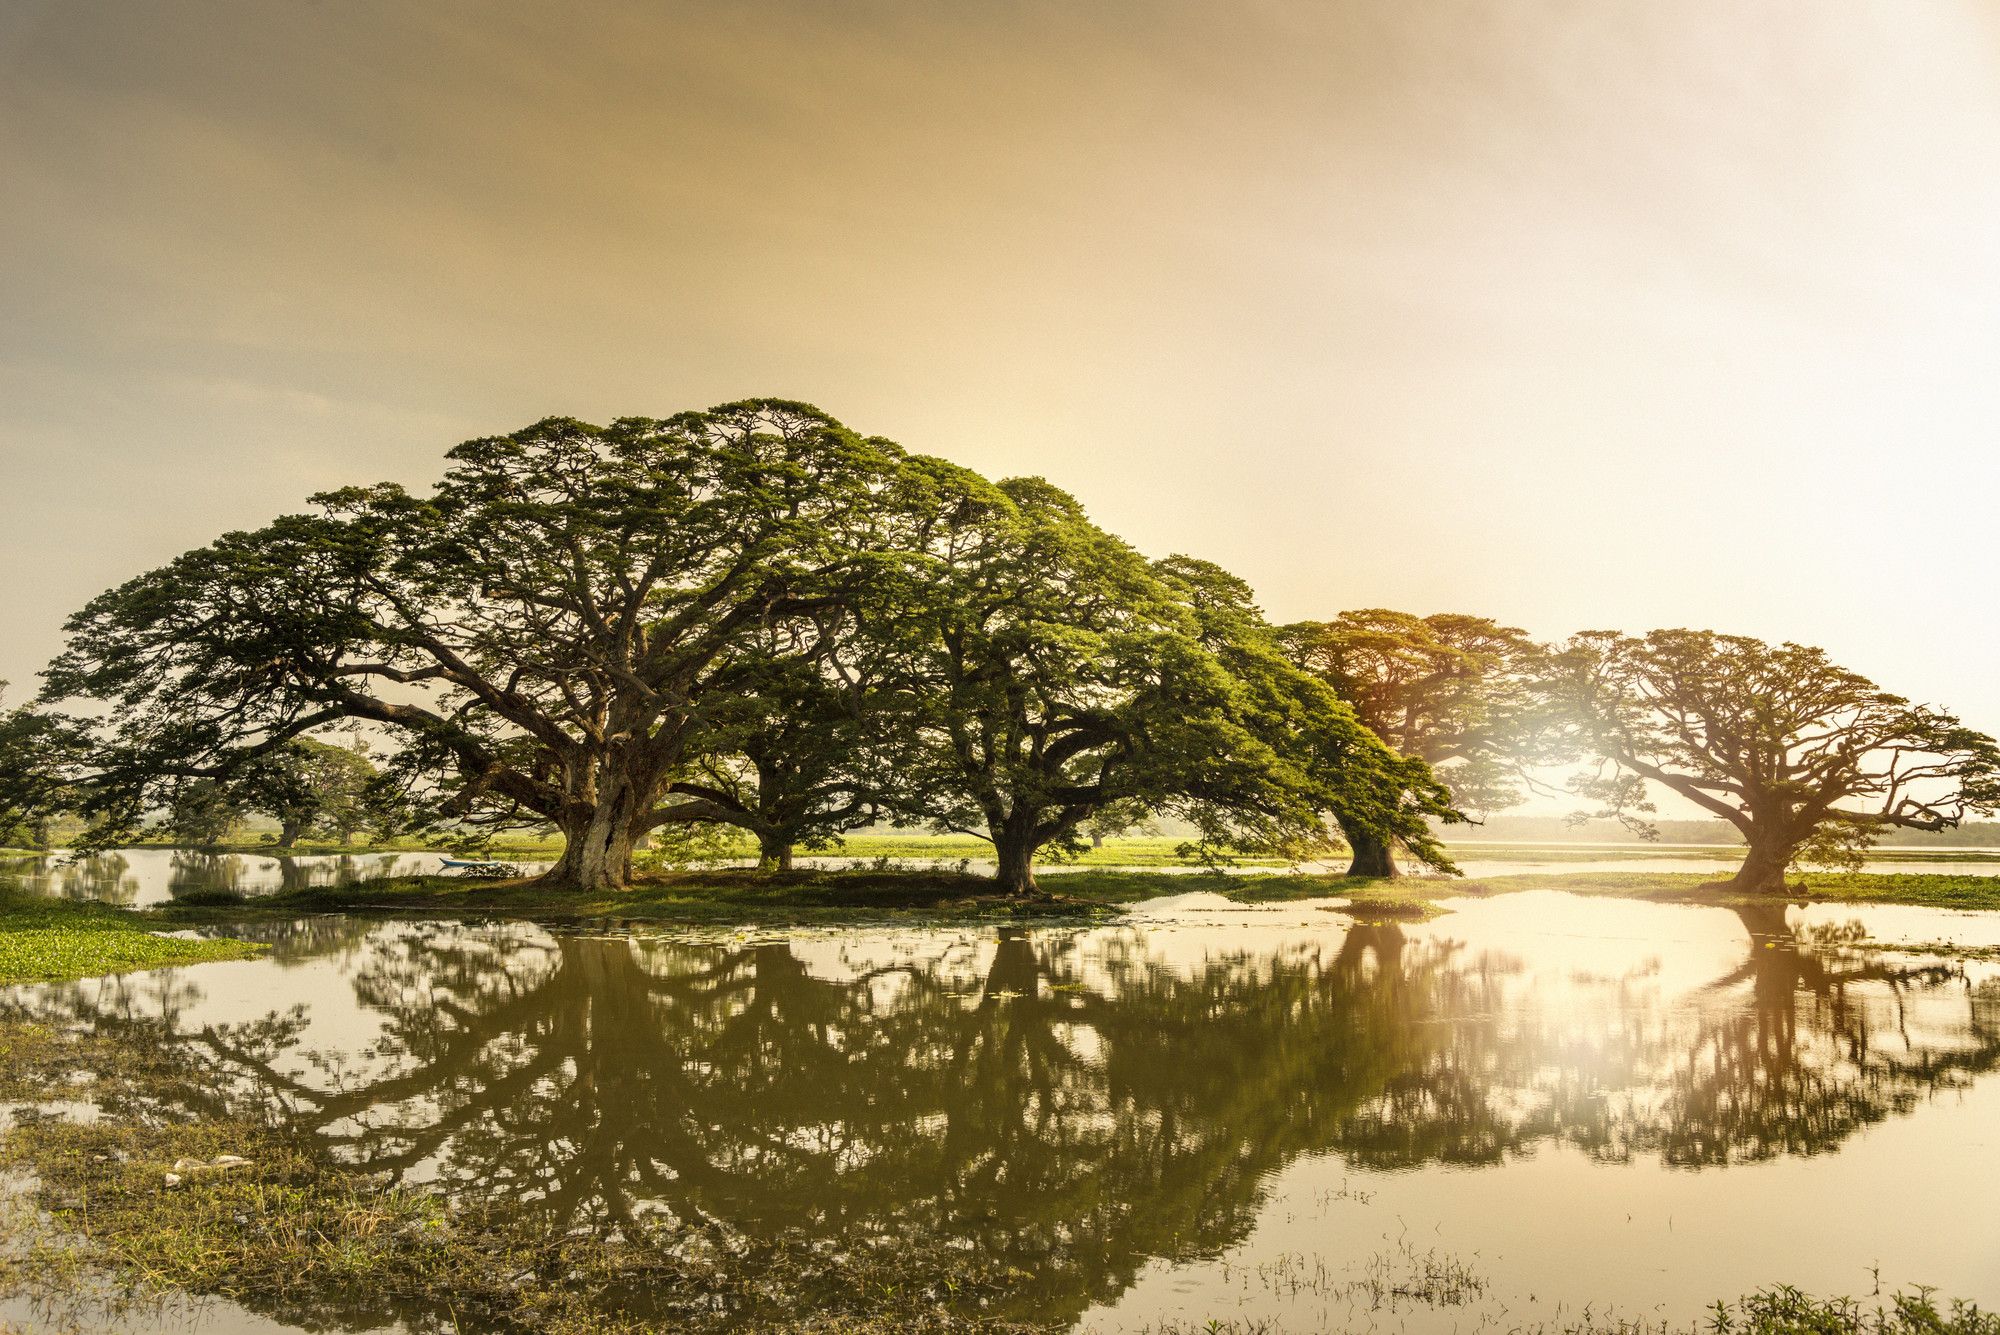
(167, 1192)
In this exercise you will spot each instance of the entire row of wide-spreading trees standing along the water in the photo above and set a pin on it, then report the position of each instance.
(755, 619)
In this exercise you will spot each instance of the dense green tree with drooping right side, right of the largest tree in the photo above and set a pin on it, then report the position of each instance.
(1055, 674)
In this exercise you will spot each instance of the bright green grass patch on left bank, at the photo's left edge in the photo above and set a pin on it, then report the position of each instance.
(45, 940)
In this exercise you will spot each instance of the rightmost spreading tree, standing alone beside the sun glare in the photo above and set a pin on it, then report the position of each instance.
(1805, 758)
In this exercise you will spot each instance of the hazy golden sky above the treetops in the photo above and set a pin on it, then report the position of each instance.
(1571, 313)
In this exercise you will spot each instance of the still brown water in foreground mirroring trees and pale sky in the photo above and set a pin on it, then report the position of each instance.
(1523, 1108)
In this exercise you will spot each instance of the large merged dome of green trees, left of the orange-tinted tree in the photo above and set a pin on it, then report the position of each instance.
(747, 617)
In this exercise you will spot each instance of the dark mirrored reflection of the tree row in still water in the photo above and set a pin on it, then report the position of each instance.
(1067, 1100)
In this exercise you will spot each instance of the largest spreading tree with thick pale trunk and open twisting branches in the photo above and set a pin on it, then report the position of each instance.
(547, 635)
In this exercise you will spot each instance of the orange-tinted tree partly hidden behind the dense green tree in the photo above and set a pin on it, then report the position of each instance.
(1451, 690)
